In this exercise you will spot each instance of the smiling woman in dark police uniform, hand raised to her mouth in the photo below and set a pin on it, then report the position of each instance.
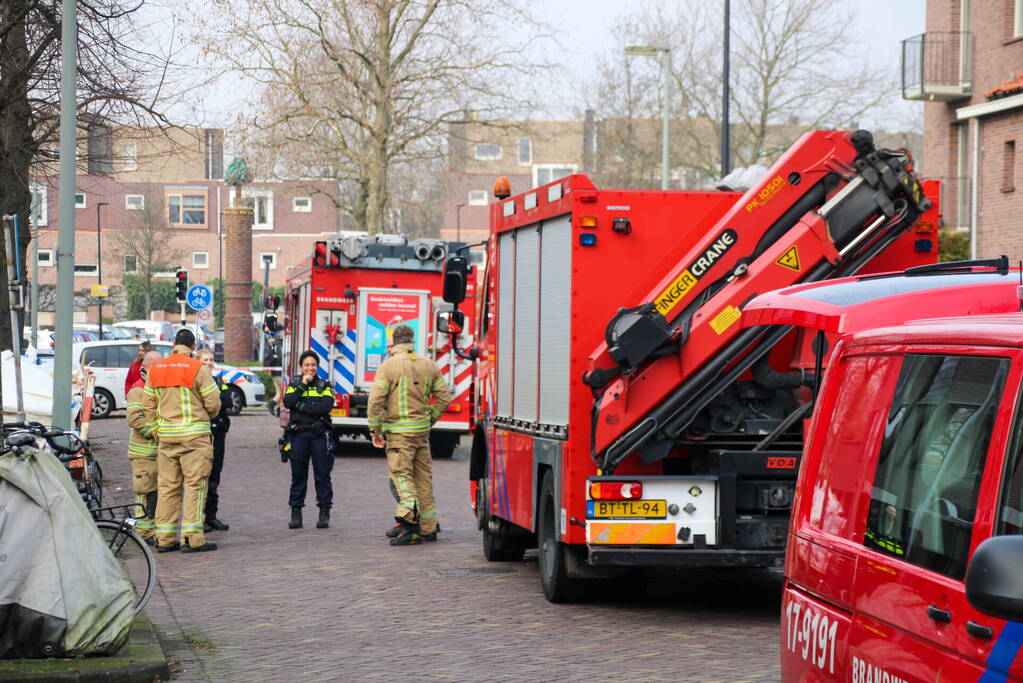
(309, 400)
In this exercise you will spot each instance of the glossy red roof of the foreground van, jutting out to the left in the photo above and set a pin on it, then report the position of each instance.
(857, 304)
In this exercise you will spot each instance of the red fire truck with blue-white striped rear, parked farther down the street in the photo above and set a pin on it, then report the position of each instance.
(344, 303)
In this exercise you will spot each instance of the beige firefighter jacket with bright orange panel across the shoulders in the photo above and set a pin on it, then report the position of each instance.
(181, 396)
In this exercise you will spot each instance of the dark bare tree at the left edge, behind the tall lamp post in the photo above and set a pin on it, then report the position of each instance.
(120, 78)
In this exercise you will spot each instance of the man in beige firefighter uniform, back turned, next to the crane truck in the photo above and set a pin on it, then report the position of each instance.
(399, 407)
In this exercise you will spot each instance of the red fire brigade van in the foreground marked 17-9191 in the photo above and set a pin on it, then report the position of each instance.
(906, 557)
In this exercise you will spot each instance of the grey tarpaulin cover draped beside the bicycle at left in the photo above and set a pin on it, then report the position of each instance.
(63, 594)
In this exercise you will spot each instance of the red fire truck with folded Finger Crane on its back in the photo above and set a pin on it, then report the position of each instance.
(669, 437)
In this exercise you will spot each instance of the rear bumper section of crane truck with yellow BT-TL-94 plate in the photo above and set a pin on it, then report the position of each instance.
(734, 514)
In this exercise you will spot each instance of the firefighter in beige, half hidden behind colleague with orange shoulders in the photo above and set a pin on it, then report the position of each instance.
(143, 450)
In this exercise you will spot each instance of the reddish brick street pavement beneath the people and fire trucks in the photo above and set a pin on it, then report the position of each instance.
(340, 605)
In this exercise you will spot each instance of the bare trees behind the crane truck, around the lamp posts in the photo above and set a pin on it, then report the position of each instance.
(785, 81)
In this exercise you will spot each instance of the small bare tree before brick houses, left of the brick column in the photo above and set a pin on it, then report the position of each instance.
(150, 242)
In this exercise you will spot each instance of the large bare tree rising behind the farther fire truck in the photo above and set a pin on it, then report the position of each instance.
(351, 89)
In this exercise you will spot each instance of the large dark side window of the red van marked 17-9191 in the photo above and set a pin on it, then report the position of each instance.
(929, 470)
